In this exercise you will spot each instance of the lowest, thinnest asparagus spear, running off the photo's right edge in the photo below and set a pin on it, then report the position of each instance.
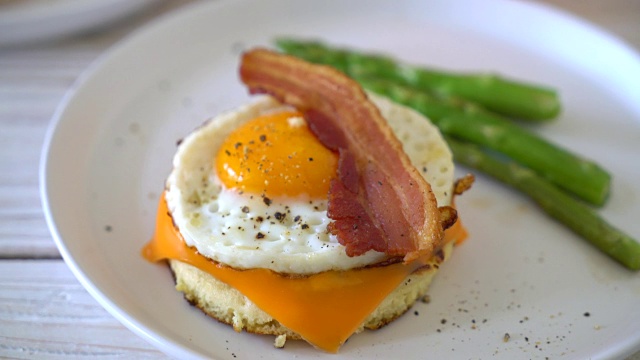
(557, 204)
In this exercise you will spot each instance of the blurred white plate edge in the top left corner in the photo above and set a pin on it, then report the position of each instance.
(29, 21)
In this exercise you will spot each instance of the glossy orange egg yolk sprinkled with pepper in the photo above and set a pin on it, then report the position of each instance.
(276, 155)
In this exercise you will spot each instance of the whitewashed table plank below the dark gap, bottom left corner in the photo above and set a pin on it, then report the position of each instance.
(46, 313)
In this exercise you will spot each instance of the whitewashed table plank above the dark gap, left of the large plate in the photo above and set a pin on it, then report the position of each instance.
(33, 80)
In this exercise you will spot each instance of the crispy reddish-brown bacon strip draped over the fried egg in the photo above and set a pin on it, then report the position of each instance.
(379, 200)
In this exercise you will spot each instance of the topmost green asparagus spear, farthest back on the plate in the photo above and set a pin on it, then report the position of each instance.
(510, 98)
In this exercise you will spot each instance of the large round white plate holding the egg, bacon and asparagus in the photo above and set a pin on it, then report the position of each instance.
(112, 140)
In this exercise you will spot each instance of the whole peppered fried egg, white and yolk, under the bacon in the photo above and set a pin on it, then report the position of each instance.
(249, 188)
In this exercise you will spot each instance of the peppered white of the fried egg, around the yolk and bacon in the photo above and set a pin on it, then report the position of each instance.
(285, 235)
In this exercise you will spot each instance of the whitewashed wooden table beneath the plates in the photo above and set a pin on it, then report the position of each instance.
(44, 311)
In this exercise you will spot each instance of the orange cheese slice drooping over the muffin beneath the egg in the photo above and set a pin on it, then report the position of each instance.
(325, 308)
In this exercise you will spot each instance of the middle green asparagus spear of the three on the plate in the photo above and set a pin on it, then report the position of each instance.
(458, 119)
